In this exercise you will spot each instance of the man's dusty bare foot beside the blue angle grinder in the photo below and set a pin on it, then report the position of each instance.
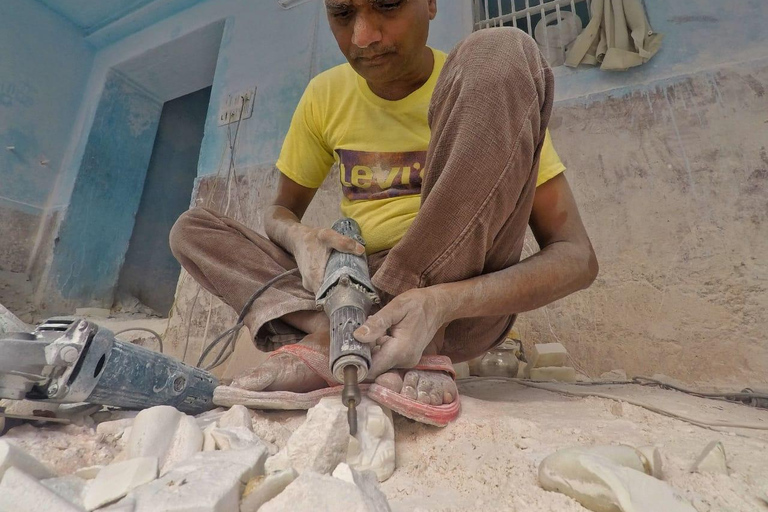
(286, 372)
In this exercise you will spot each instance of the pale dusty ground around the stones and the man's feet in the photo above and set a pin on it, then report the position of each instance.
(488, 458)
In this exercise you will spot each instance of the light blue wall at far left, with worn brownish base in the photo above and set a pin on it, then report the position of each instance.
(44, 64)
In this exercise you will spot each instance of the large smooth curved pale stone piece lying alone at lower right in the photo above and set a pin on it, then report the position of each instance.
(604, 486)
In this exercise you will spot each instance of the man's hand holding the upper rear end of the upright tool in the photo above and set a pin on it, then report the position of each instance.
(311, 249)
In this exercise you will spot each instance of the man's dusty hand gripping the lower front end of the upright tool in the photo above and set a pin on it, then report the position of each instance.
(402, 330)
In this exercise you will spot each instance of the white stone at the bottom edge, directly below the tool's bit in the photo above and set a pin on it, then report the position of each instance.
(313, 492)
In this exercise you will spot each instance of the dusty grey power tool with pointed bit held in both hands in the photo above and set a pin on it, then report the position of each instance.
(347, 296)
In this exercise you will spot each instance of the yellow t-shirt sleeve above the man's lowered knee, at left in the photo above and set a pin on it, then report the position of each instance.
(305, 157)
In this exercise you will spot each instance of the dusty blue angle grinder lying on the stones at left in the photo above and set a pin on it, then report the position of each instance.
(72, 360)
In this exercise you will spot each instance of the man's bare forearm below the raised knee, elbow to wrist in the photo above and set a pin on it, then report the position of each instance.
(556, 271)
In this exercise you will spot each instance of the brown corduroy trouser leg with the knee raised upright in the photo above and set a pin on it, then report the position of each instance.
(488, 117)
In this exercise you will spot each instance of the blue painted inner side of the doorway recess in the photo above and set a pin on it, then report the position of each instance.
(106, 195)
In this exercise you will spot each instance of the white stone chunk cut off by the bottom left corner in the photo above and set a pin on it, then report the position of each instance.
(20, 492)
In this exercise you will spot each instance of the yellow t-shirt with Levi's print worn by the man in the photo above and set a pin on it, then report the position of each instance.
(380, 146)
